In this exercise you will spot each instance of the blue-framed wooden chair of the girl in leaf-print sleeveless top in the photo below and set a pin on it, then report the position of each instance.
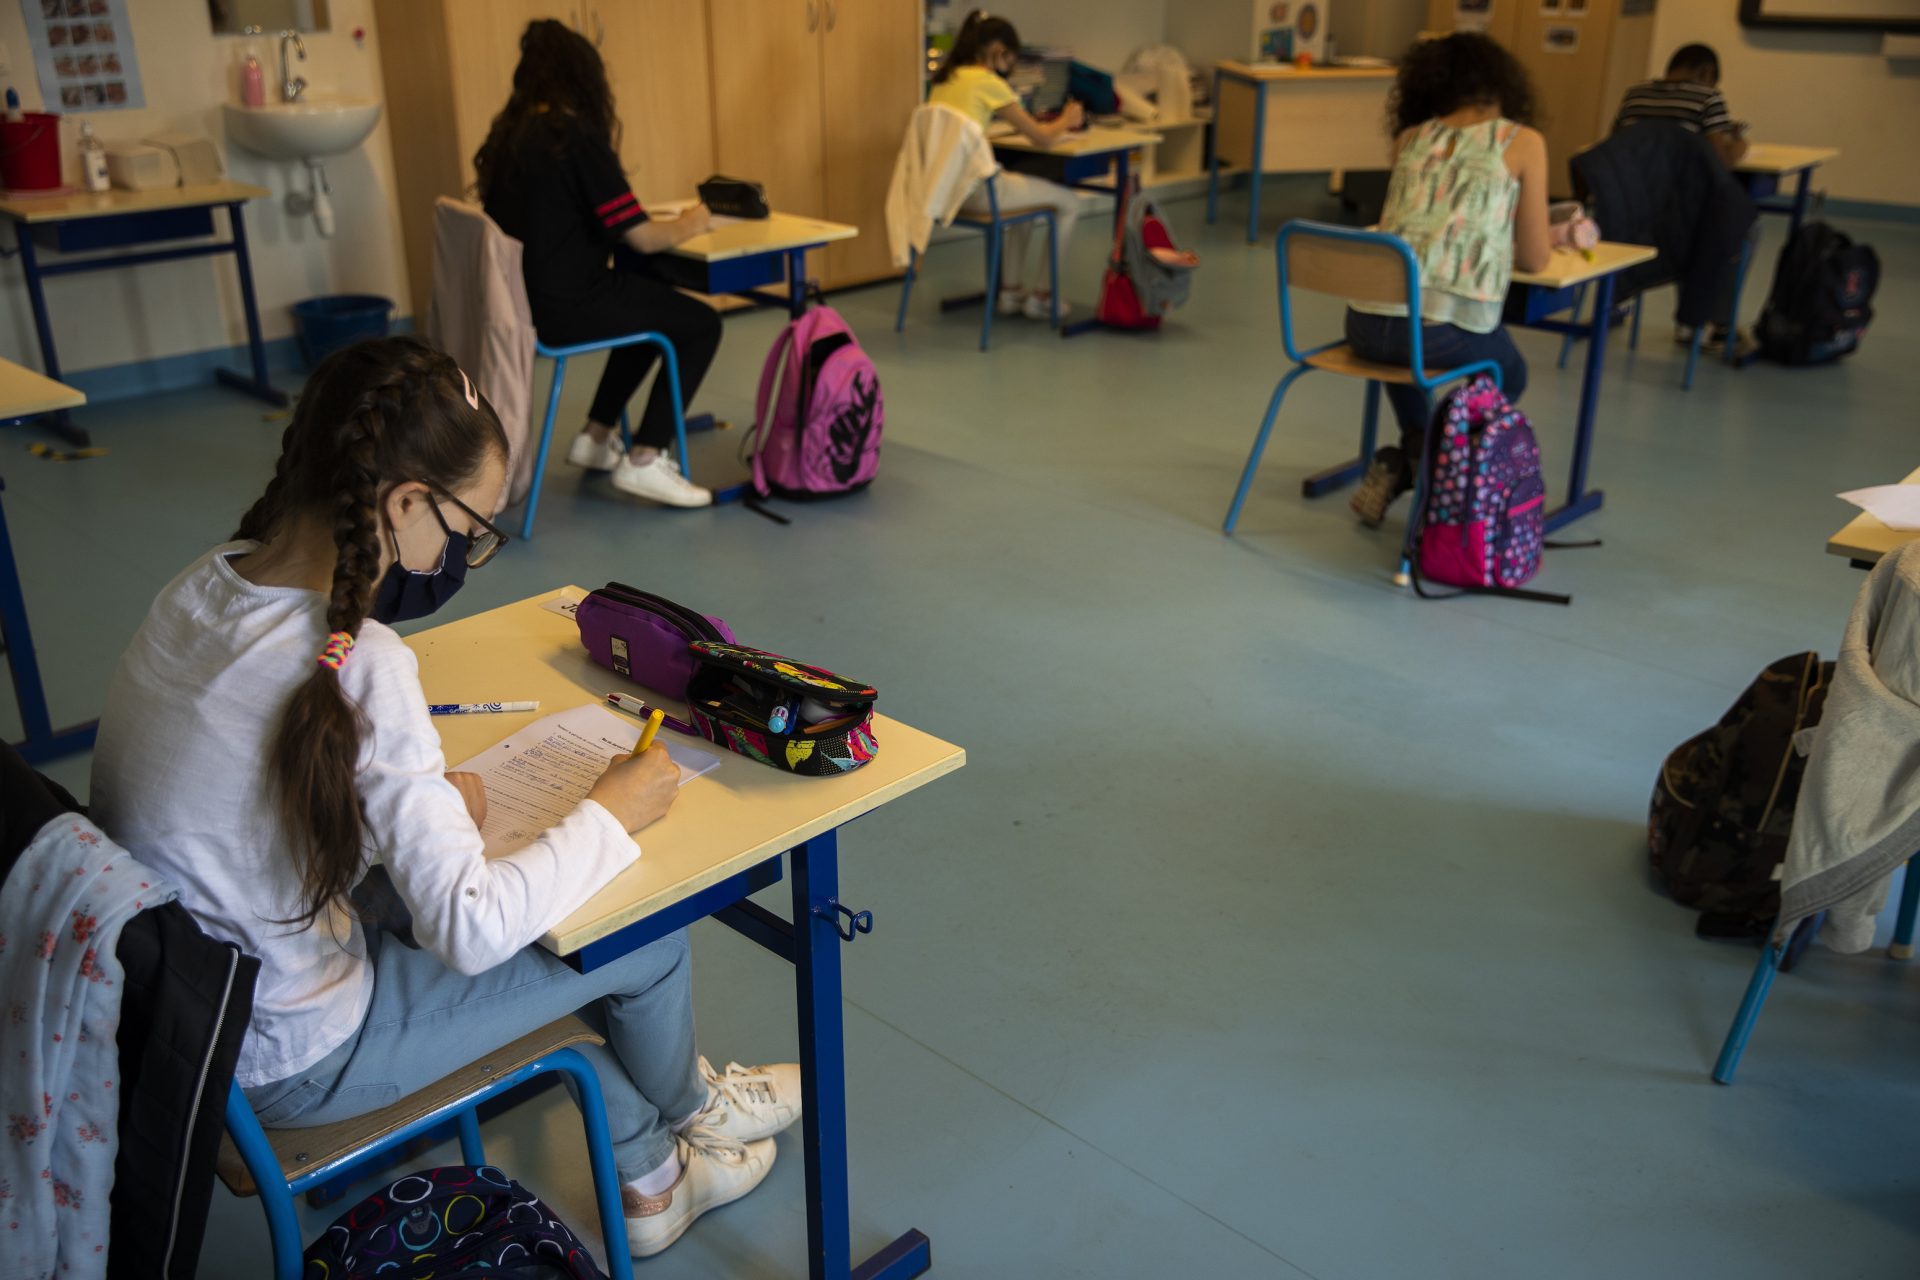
(1356, 266)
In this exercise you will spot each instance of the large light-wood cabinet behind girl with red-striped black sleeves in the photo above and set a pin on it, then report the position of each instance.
(807, 97)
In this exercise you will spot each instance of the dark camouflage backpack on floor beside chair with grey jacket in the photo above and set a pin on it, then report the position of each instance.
(1723, 805)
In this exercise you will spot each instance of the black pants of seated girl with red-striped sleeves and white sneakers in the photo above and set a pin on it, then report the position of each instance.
(633, 302)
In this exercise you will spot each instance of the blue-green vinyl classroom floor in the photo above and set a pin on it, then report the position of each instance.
(1282, 924)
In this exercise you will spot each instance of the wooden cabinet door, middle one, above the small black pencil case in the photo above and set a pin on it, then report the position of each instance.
(767, 99)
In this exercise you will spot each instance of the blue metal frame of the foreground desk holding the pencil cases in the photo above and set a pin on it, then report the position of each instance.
(811, 945)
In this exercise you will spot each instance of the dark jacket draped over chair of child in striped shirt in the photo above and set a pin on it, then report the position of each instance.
(1668, 187)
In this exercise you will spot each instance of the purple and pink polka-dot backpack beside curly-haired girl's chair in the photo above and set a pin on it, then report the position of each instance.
(1483, 523)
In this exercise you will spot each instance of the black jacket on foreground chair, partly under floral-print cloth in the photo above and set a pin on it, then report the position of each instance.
(185, 1008)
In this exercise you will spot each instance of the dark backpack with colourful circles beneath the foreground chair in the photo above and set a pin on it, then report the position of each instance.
(450, 1223)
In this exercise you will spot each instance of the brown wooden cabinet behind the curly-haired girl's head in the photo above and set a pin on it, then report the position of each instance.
(1581, 57)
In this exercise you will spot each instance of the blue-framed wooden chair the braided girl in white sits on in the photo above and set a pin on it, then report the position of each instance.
(279, 1164)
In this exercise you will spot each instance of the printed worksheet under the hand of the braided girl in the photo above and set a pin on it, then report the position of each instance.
(542, 772)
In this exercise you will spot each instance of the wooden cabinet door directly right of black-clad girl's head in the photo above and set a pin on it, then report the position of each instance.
(658, 60)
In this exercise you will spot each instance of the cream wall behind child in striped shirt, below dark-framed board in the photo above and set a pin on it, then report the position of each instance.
(1813, 89)
